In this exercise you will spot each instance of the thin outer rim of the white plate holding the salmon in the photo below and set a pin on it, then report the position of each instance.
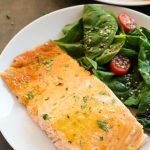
(49, 14)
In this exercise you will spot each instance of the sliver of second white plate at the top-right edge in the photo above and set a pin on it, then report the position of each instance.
(126, 2)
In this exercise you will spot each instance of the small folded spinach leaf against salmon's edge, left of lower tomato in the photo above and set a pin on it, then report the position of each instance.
(87, 63)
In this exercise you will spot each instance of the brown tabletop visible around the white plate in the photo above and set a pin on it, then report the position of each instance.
(15, 14)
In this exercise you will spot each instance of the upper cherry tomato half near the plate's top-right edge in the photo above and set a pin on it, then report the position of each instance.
(126, 21)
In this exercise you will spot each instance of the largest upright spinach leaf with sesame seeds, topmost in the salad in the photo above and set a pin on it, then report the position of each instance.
(100, 28)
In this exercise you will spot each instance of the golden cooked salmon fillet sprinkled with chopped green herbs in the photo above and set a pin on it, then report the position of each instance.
(74, 108)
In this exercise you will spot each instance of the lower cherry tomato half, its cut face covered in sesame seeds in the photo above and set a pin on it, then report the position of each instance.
(120, 65)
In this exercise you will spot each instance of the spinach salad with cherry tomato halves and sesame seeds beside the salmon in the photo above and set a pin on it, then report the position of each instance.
(117, 51)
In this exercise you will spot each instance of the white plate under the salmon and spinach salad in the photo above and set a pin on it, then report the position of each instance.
(15, 124)
